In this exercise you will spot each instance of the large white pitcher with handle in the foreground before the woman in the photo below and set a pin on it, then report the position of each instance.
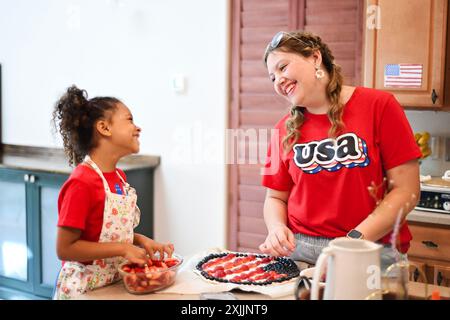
(353, 270)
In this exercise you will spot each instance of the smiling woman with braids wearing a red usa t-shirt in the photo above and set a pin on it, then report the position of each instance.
(335, 143)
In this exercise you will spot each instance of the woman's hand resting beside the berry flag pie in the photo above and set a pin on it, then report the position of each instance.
(279, 242)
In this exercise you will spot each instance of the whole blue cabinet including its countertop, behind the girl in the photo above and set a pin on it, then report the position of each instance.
(30, 181)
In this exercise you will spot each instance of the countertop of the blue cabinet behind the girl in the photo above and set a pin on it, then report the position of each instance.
(54, 161)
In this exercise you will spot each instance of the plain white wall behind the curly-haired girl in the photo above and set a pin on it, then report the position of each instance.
(131, 49)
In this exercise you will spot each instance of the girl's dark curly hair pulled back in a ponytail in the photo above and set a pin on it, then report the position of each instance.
(74, 116)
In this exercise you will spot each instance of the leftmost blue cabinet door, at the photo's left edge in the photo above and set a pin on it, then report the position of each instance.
(14, 257)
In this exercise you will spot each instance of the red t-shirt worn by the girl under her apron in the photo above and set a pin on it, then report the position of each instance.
(81, 201)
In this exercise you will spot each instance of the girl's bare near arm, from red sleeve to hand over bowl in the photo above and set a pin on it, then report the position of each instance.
(69, 247)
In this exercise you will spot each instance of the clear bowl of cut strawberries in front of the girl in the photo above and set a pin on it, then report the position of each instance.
(156, 274)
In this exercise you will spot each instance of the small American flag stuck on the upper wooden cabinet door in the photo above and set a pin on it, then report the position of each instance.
(403, 75)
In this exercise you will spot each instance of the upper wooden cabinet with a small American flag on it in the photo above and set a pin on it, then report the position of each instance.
(405, 50)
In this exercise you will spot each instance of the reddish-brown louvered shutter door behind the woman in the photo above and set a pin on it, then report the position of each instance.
(254, 104)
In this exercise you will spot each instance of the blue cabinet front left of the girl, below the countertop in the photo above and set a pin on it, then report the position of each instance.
(28, 216)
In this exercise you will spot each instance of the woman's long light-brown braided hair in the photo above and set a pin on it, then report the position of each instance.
(305, 44)
